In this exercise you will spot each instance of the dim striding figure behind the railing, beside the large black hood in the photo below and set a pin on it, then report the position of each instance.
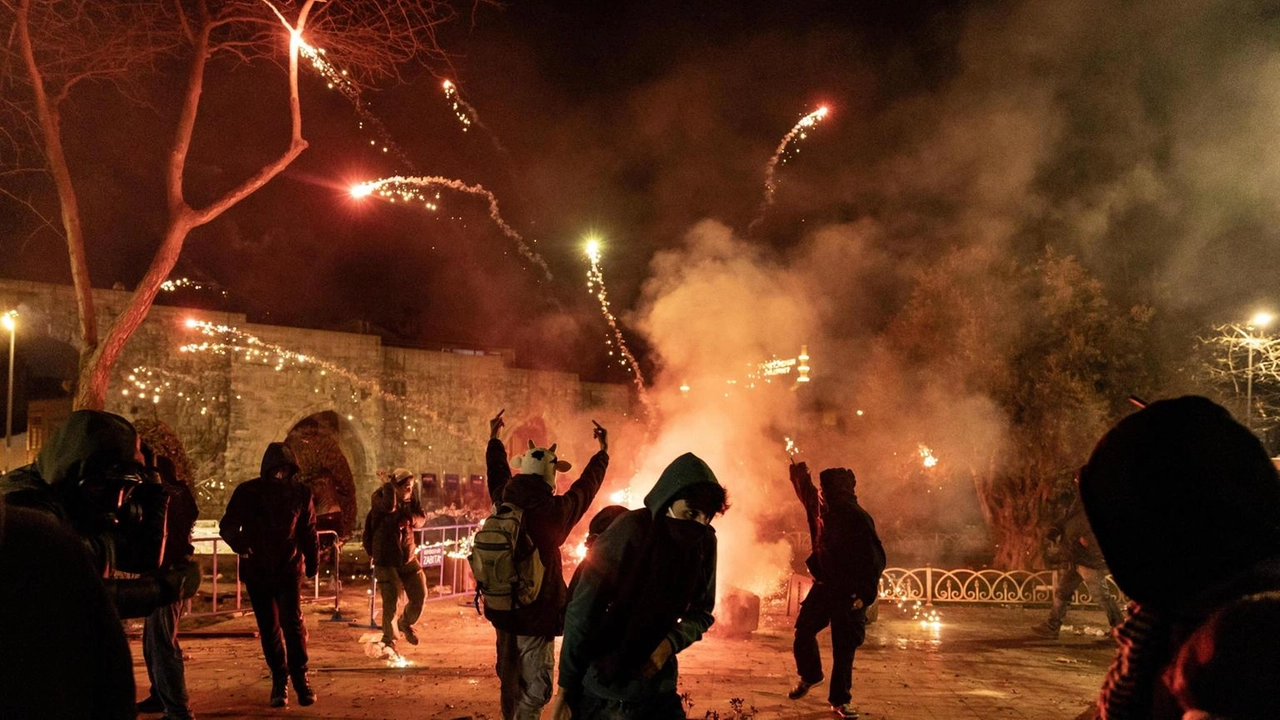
(1087, 567)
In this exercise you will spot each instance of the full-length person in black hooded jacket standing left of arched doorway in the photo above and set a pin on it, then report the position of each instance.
(271, 522)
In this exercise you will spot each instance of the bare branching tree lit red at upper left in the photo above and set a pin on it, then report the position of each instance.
(56, 47)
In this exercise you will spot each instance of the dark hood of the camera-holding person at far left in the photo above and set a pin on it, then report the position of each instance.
(90, 443)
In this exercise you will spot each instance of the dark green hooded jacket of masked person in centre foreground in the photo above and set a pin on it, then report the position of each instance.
(614, 555)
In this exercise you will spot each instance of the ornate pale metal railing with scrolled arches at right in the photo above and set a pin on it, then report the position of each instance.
(931, 585)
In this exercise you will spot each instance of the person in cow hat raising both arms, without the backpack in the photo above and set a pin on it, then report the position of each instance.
(527, 636)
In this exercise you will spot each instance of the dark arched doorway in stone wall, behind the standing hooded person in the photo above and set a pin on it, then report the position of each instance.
(327, 450)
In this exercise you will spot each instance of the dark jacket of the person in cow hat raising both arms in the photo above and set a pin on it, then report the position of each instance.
(548, 521)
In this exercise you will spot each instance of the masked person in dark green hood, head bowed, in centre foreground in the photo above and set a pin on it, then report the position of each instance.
(646, 593)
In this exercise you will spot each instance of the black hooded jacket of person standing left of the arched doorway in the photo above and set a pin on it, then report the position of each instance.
(272, 523)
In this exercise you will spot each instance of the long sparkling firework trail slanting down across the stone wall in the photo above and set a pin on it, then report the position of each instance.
(253, 349)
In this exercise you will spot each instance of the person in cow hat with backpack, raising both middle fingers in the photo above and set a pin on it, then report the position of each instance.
(529, 618)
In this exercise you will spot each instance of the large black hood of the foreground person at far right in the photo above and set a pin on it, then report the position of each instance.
(1182, 498)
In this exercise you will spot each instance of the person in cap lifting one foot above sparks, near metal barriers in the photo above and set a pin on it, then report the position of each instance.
(395, 514)
